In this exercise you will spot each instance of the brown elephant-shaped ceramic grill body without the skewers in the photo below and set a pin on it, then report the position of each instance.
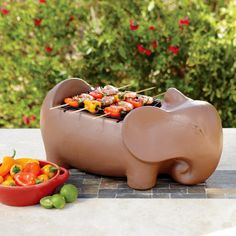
(182, 138)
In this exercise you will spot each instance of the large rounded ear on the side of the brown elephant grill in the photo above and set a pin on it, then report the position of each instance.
(147, 133)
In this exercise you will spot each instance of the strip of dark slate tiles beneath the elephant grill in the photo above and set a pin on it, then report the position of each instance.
(222, 184)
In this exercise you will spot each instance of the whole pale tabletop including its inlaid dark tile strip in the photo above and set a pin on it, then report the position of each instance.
(107, 206)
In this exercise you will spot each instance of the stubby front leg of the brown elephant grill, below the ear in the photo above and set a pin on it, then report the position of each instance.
(142, 178)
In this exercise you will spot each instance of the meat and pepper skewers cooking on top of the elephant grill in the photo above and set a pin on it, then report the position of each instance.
(109, 101)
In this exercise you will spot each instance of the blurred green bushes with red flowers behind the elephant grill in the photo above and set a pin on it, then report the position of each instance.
(93, 40)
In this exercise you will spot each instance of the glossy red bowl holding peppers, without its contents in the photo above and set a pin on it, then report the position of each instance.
(31, 195)
